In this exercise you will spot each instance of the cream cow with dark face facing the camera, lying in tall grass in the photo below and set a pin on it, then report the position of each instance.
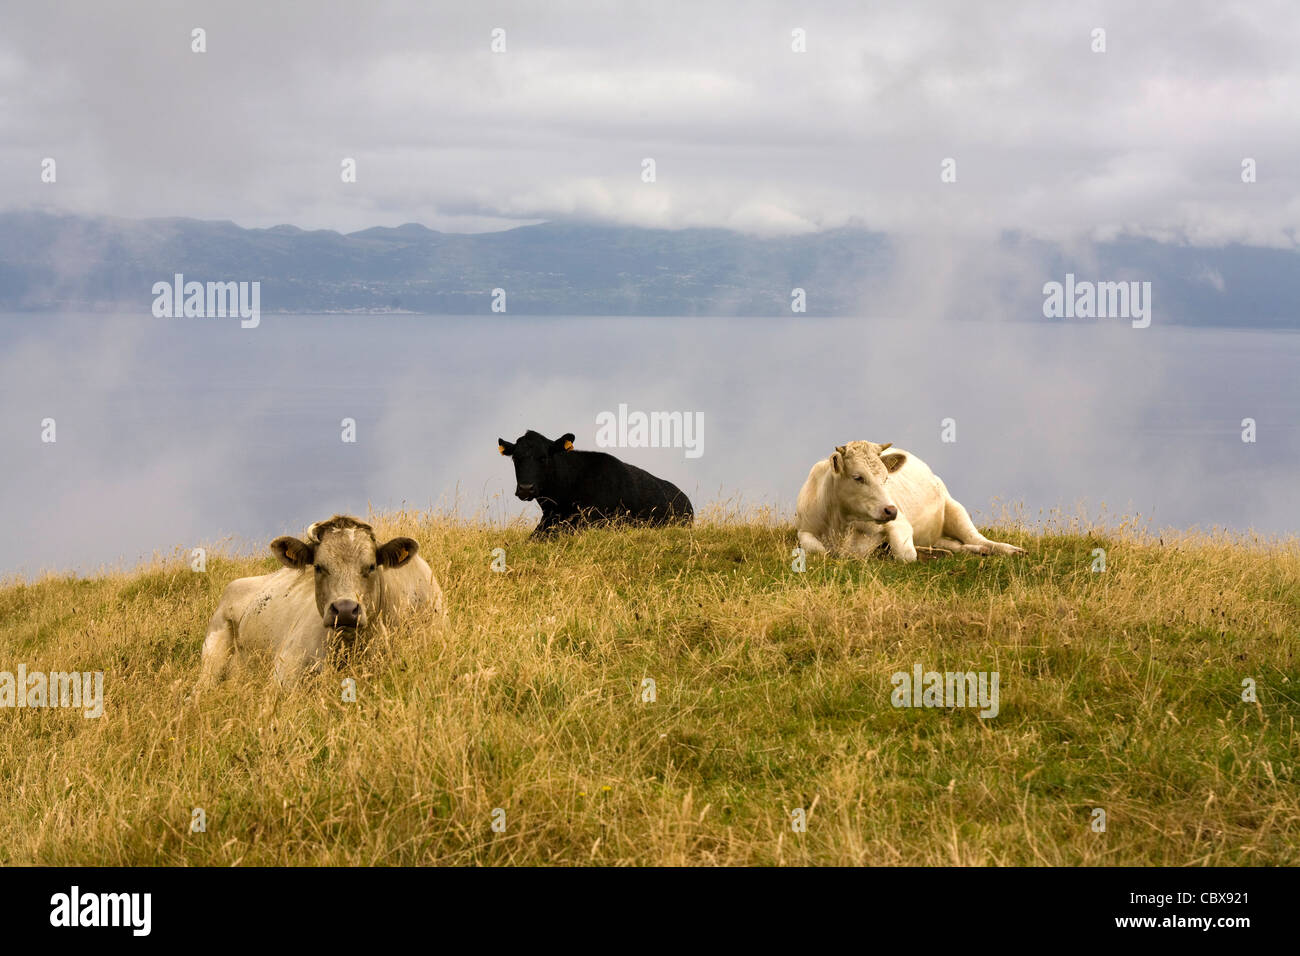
(336, 583)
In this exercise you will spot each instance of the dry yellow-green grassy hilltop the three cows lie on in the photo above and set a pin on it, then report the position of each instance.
(1120, 690)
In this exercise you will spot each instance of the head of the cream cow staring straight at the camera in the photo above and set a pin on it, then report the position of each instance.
(348, 564)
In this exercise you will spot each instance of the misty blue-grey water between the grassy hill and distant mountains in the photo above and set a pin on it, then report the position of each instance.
(177, 432)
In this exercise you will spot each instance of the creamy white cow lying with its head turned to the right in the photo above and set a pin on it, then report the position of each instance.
(861, 499)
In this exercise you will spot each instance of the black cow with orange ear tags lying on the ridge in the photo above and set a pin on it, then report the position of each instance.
(582, 488)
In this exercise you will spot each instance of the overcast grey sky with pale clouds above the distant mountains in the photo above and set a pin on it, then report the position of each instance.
(1050, 137)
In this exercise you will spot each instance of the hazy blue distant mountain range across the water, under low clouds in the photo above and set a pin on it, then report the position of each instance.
(73, 263)
